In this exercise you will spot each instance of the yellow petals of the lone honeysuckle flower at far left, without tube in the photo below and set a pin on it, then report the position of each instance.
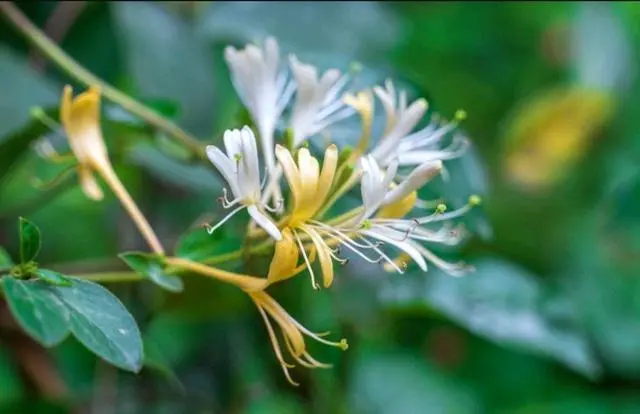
(80, 118)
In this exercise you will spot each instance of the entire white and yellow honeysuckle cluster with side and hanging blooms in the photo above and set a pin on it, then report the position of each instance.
(291, 198)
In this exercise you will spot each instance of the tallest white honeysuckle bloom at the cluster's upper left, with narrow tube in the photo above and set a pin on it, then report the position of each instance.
(263, 87)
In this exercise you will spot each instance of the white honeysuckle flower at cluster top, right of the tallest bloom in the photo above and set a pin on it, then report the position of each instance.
(318, 102)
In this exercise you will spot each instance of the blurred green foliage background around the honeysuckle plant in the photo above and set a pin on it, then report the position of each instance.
(549, 322)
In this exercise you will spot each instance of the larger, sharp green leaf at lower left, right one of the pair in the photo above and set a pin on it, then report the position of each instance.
(101, 323)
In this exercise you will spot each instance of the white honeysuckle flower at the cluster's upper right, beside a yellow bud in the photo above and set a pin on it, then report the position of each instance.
(413, 148)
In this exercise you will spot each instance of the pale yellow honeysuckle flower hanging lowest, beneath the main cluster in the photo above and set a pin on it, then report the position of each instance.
(292, 332)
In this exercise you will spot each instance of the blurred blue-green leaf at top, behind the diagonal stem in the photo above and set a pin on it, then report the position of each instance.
(152, 39)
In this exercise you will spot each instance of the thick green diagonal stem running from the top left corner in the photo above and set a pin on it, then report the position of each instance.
(75, 70)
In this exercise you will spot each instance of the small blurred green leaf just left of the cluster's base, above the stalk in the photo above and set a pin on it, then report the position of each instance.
(199, 245)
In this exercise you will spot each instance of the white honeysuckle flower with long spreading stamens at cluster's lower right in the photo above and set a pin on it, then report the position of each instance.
(364, 234)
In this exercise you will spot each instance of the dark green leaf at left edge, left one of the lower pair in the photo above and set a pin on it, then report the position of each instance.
(37, 309)
